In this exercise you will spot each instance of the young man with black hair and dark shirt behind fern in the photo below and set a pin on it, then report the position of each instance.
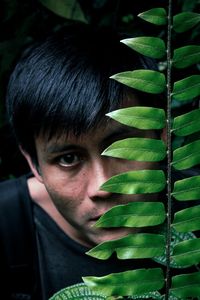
(57, 99)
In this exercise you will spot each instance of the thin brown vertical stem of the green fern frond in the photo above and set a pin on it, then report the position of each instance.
(169, 186)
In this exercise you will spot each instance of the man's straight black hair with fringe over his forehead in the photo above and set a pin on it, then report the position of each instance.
(62, 83)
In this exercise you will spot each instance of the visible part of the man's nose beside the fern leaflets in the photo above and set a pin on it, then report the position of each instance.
(102, 170)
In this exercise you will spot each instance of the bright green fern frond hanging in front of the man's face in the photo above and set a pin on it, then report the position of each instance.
(186, 252)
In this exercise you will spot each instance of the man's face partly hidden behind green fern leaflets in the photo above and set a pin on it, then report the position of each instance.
(73, 169)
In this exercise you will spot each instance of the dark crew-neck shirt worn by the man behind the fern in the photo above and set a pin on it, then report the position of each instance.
(61, 261)
